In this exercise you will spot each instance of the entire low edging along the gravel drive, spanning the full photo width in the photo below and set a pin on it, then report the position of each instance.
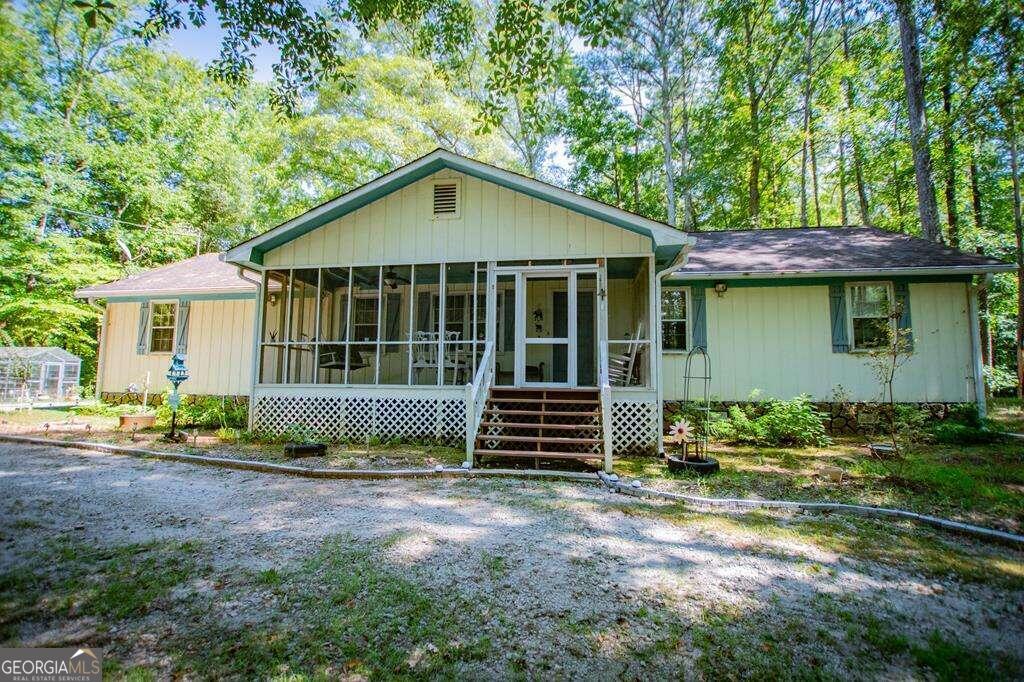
(612, 483)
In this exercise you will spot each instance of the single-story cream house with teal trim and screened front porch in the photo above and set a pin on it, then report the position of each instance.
(453, 300)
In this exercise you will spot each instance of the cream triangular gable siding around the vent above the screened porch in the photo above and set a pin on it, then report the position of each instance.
(494, 224)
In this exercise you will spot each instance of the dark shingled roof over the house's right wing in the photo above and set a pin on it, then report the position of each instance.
(824, 252)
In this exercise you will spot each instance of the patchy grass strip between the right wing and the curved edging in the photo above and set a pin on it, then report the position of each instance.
(977, 484)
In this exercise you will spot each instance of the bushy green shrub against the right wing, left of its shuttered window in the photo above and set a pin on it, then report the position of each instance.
(793, 422)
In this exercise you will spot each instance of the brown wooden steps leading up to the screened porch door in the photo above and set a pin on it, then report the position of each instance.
(541, 424)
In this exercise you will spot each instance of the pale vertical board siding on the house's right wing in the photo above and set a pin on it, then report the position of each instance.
(778, 342)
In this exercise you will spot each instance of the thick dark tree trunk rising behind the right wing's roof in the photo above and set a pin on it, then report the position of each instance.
(915, 83)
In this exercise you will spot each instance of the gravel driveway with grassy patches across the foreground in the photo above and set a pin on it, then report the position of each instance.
(515, 579)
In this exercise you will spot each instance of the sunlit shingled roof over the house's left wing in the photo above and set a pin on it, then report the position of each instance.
(200, 275)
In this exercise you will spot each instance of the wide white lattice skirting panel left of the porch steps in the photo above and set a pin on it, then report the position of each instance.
(338, 418)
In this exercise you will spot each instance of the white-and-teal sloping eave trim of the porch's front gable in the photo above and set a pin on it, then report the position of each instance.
(668, 242)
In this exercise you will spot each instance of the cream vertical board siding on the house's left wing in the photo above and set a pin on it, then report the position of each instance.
(220, 358)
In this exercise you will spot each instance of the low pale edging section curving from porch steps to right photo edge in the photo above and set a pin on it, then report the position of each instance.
(638, 491)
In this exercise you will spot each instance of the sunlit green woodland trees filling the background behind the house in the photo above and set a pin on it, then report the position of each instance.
(118, 154)
